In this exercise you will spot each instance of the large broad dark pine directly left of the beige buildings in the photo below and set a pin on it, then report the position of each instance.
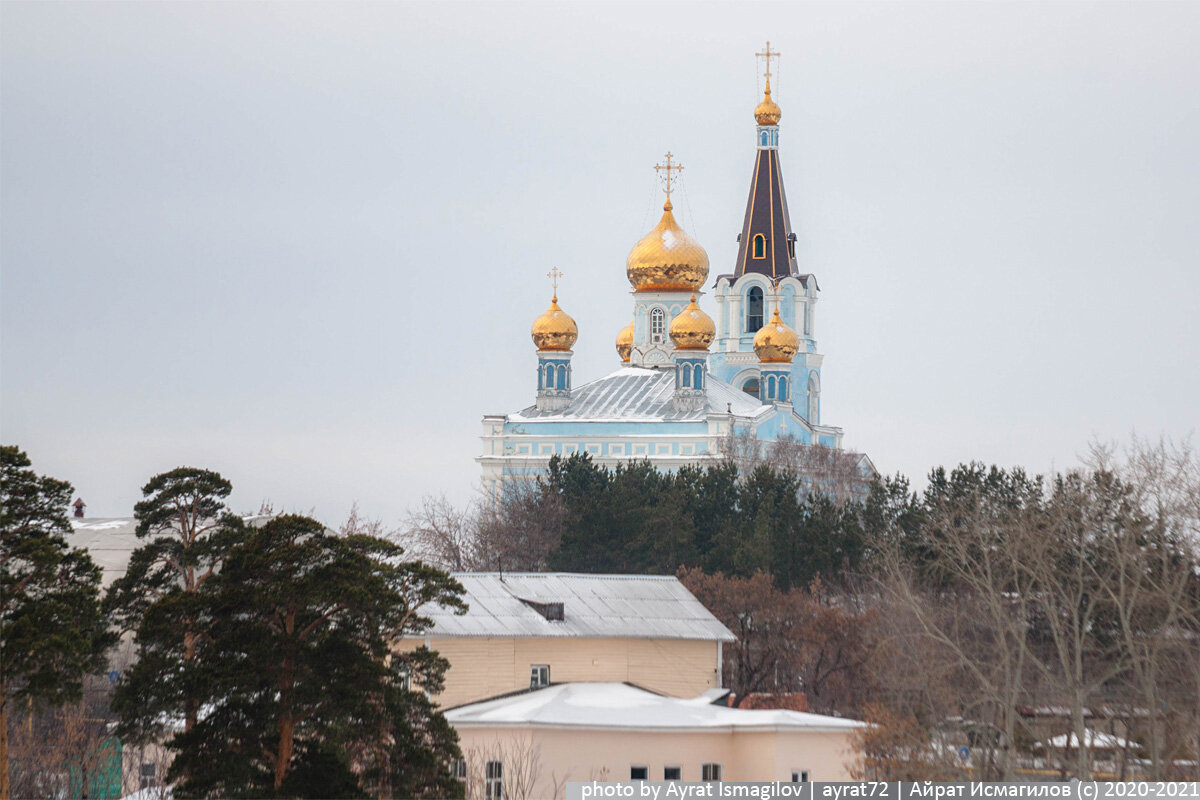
(301, 691)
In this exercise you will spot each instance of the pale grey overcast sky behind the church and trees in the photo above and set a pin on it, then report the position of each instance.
(303, 244)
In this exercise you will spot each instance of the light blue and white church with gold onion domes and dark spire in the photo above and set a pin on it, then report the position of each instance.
(686, 383)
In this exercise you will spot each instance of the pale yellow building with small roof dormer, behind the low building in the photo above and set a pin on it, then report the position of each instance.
(532, 630)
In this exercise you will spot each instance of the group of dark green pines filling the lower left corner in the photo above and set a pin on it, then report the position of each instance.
(262, 653)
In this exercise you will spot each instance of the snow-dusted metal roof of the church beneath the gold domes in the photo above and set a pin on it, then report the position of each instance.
(639, 394)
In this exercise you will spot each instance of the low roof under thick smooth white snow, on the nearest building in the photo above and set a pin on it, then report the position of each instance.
(625, 707)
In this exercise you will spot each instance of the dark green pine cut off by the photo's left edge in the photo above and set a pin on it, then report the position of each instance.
(51, 624)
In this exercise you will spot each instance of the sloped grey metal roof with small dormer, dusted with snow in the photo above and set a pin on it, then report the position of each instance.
(595, 606)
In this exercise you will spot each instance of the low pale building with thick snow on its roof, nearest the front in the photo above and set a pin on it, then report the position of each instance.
(531, 744)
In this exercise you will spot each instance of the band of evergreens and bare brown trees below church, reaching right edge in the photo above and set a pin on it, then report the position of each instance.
(986, 597)
